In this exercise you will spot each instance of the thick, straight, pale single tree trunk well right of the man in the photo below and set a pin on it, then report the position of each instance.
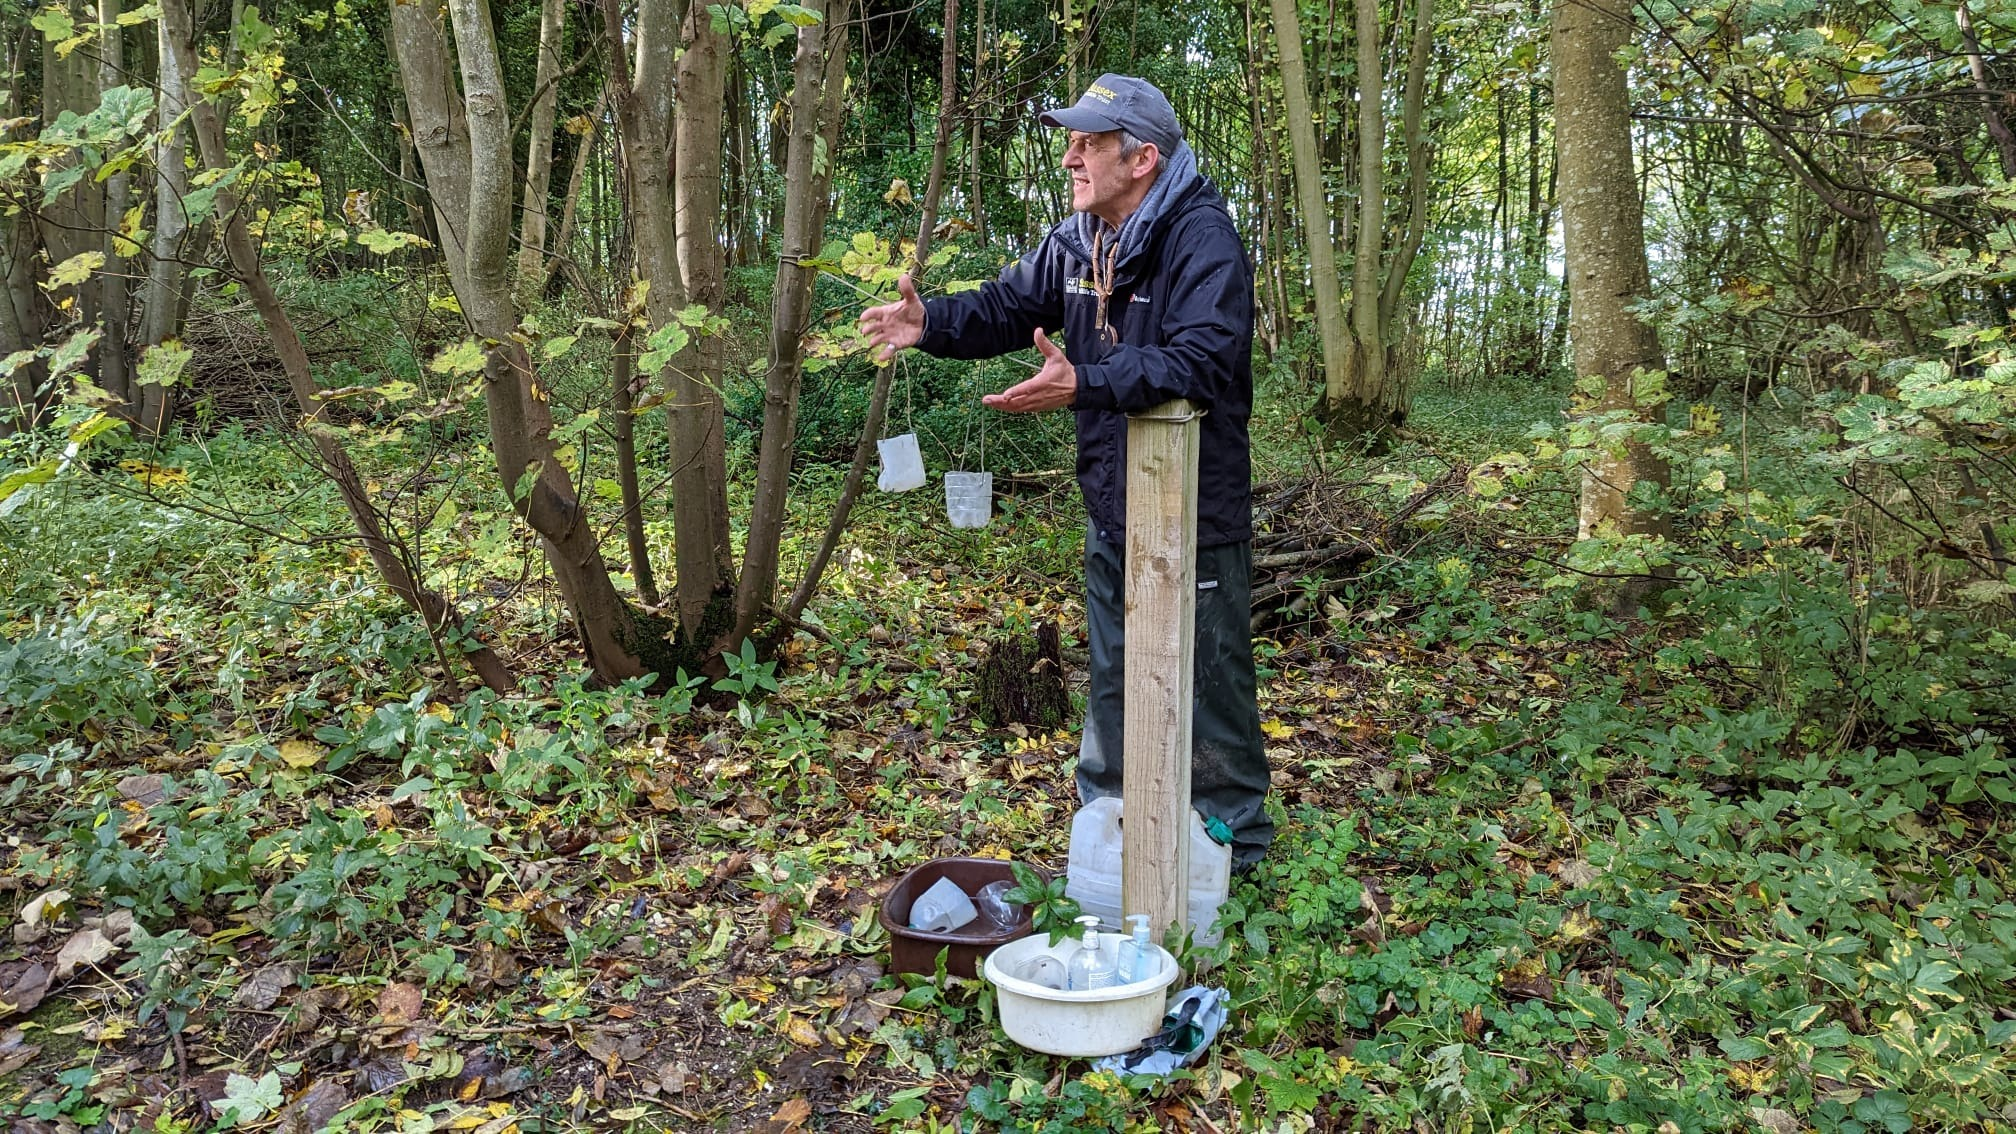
(1604, 231)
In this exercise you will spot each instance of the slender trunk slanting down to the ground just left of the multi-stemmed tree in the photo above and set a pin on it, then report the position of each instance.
(178, 60)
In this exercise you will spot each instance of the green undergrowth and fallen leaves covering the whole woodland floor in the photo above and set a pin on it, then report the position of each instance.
(1743, 863)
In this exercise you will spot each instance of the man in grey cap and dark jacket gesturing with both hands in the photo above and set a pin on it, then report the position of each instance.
(1154, 294)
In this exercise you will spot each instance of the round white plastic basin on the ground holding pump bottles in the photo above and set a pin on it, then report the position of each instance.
(1102, 1022)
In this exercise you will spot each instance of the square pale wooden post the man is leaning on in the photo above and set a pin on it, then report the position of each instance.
(1162, 618)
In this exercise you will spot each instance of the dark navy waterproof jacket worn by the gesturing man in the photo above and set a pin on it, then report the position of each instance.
(1184, 312)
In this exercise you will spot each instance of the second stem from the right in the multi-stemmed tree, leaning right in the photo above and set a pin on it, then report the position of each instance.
(815, 114)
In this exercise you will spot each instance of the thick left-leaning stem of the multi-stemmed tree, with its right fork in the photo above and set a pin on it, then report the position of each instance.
(521, 419)
